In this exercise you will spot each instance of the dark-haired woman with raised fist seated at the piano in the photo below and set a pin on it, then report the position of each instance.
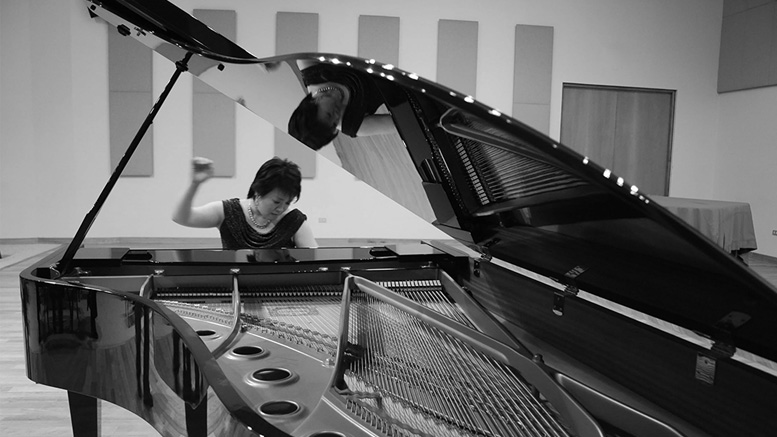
(262, 220)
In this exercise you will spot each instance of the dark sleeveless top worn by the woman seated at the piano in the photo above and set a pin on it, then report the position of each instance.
(236, 233)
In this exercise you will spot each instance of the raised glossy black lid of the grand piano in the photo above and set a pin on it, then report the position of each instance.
(501, 187)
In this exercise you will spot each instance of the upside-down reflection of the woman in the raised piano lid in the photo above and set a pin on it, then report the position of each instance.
(338, 99)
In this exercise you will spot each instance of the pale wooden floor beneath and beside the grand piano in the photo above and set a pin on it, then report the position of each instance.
(31, 410)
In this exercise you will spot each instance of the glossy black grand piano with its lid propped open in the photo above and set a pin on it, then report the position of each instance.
(571, 304)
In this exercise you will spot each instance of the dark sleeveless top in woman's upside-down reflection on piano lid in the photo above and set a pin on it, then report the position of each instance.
(365, 99)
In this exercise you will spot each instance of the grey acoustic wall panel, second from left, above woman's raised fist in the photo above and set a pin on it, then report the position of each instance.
(213, 114)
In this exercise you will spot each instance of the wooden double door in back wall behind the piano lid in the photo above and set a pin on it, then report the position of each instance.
(628, 130)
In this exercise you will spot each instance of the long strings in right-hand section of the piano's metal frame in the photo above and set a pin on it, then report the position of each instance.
(422, 381)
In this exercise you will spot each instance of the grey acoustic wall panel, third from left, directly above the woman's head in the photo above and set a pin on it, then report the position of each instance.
(295, 33)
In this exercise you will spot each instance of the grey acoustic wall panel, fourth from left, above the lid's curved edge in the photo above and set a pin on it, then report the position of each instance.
(379, 38)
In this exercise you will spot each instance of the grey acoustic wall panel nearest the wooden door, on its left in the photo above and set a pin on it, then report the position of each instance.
(532, 73)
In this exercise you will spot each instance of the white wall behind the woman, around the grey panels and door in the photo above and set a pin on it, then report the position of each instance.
(53, 129)
